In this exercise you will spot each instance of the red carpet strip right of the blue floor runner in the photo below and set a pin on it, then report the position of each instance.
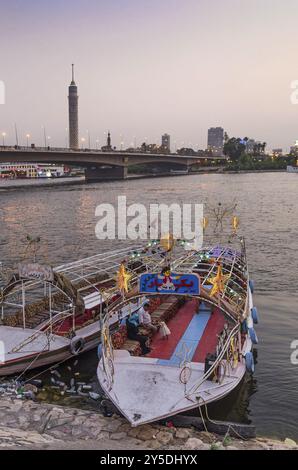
(209, 339)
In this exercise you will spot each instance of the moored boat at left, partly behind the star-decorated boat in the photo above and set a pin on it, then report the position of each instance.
(48, 315)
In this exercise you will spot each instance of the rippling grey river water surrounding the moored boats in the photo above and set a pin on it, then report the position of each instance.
(64, 216)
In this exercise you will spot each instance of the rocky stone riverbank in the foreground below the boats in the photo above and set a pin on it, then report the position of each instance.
(30, 425)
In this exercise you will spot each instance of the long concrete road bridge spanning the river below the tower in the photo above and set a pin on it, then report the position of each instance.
(105, 165)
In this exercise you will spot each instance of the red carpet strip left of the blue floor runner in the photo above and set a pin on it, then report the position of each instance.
(164, 348)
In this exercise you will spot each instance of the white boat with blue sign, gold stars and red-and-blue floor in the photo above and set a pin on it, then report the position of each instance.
(205, 299)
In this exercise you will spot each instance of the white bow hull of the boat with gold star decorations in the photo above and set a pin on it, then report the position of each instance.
(140, 388)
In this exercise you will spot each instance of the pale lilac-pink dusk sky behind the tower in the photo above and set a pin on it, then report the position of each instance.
(146, 67)
